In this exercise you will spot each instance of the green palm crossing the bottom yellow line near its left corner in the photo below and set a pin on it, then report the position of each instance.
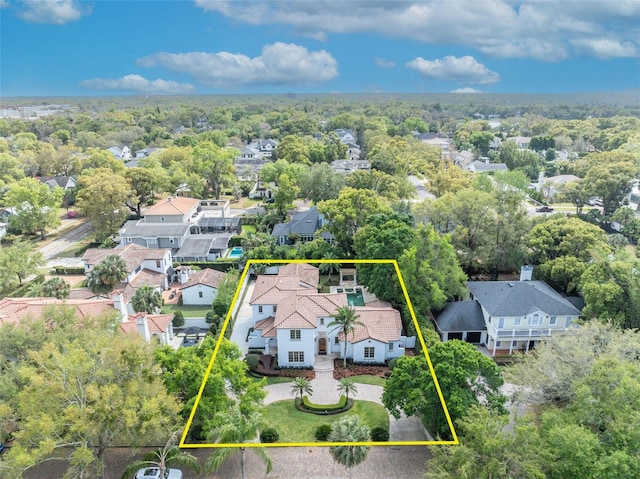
(238, 428)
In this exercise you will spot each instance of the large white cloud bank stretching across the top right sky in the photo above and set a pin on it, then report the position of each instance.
(540, 29)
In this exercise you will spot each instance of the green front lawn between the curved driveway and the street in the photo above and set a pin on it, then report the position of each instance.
(297, 426)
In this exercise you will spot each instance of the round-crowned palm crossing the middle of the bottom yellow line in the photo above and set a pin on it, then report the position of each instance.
(349, 429)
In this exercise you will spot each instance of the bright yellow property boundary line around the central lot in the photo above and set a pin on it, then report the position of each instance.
(251, 262)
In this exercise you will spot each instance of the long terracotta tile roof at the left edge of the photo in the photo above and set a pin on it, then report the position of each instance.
(13, 310)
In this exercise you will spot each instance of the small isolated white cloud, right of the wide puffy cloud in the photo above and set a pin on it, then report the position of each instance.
(464, 70)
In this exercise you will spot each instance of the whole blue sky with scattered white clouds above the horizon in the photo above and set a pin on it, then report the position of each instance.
(105, 47)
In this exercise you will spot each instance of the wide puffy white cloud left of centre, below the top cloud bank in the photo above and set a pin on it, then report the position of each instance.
(278, 64)
